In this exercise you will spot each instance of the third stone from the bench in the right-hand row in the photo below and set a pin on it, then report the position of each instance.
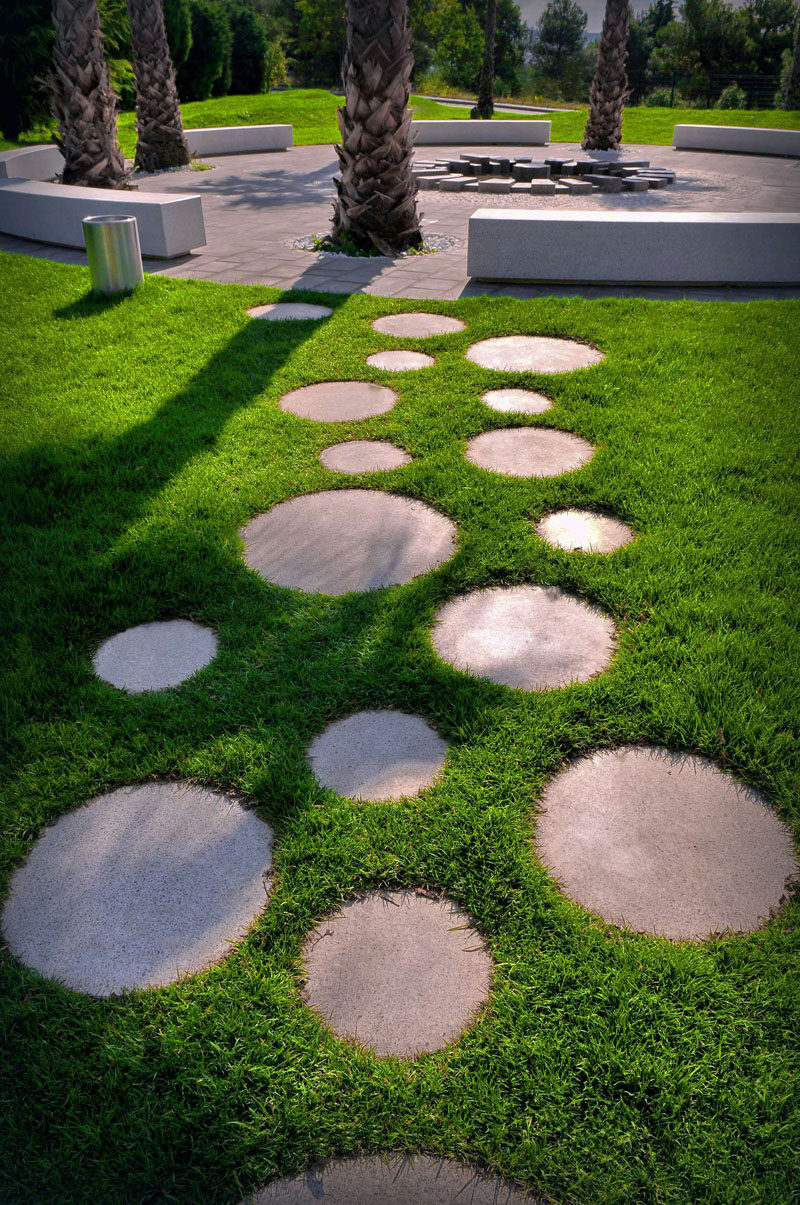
(530, 452)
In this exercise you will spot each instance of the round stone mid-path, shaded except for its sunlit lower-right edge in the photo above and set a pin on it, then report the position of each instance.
(378, 755)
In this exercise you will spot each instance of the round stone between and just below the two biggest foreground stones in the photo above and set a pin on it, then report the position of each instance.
(398, 972)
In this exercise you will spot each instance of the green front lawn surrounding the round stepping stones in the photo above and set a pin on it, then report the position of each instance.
(610, 1068)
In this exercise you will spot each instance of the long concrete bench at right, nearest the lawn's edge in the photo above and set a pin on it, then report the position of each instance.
(634, 249)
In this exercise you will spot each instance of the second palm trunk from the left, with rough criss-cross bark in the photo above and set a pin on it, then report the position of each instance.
(161, 142)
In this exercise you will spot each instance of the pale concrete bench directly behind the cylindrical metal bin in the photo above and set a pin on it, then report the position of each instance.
(169, 226)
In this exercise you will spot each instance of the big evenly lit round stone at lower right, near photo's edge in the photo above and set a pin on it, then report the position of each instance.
(664, 843)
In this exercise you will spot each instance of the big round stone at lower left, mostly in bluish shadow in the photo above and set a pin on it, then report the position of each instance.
(139, 887)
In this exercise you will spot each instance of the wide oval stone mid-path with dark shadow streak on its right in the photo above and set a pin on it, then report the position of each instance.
(348, 540)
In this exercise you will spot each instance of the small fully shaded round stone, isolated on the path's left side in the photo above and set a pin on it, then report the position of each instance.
(155, 656)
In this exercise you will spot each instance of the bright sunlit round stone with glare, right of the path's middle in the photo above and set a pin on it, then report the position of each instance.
(533, 638)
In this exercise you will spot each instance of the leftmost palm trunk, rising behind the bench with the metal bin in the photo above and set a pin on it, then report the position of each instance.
(83, 98)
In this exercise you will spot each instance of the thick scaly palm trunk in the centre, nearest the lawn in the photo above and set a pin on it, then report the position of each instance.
(377, 203)
